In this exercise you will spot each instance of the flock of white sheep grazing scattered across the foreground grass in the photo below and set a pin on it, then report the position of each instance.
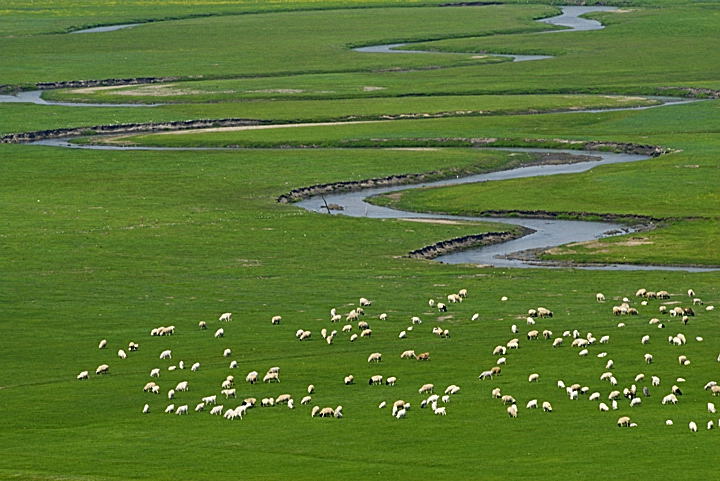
(629, 396)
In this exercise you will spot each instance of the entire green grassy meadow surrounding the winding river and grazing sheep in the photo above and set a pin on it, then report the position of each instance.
(110, 244)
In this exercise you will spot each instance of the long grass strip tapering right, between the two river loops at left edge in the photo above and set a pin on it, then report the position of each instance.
(29, 117)
